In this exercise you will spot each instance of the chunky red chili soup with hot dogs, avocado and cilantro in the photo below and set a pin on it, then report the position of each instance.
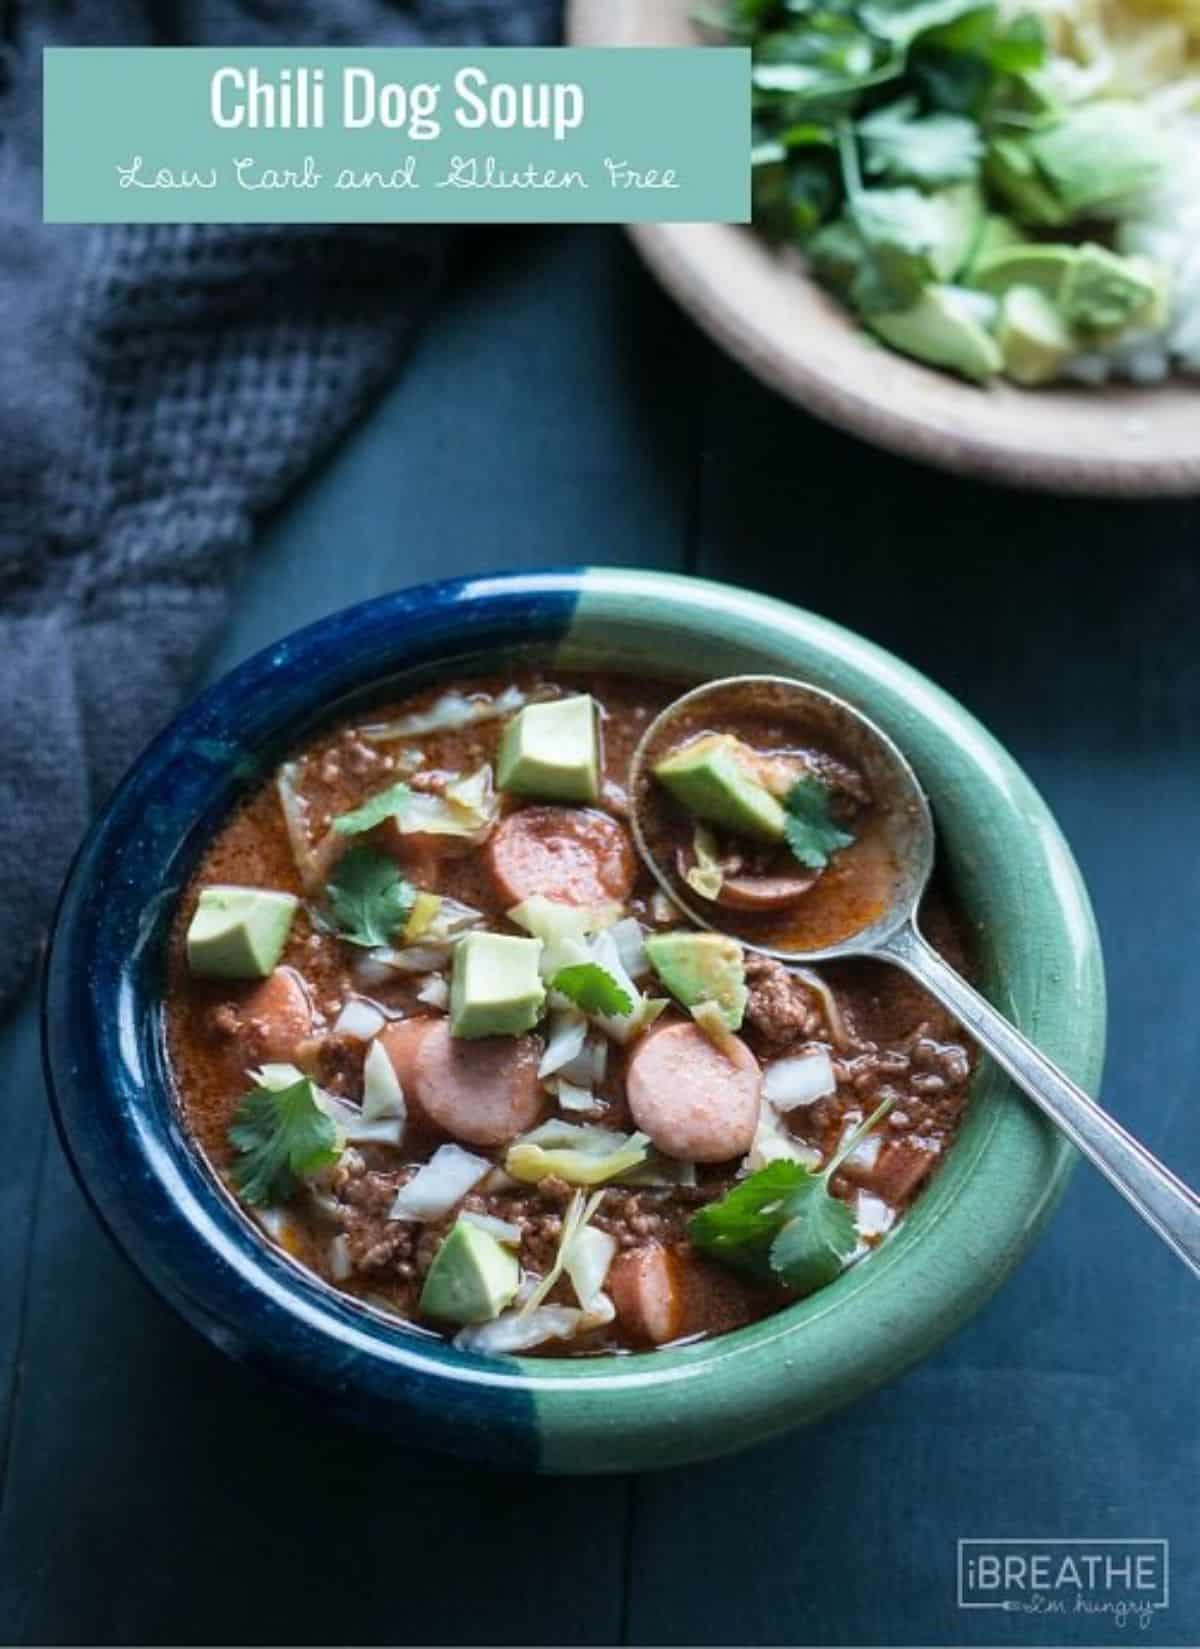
(448, 1041)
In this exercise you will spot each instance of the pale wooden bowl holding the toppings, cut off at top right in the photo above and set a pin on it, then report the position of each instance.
(762, 308)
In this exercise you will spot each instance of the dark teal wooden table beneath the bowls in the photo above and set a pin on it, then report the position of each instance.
(560, 410)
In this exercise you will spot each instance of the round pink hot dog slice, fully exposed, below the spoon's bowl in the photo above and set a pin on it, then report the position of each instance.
(695, 1101)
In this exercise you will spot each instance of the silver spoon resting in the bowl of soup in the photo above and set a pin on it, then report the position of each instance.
(904, 814)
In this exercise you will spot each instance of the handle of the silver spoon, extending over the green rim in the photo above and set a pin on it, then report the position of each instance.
(1161, 1200)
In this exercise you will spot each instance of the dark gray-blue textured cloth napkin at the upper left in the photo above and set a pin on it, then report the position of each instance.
(159, 390)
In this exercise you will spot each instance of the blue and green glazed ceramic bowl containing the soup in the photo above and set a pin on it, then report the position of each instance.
(105, 1038)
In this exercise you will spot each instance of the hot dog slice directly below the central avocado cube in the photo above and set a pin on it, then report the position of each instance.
(482, 1091)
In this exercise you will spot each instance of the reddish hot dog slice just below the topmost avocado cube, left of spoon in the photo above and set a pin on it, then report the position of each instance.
(574, 857)
